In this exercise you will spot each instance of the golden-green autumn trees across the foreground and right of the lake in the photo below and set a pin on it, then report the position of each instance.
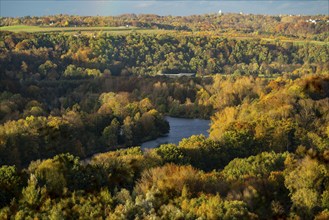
(266, 157)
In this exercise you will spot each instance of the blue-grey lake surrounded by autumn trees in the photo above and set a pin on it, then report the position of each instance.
(180, 128)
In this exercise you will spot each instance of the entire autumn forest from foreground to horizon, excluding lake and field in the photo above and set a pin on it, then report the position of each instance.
(74, 109)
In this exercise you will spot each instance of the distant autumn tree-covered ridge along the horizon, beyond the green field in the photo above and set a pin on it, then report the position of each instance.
(310, 27)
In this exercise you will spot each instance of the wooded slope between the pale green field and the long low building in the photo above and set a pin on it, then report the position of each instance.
(63, 56)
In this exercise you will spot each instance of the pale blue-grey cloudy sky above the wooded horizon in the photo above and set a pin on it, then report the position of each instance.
(18, 8)
